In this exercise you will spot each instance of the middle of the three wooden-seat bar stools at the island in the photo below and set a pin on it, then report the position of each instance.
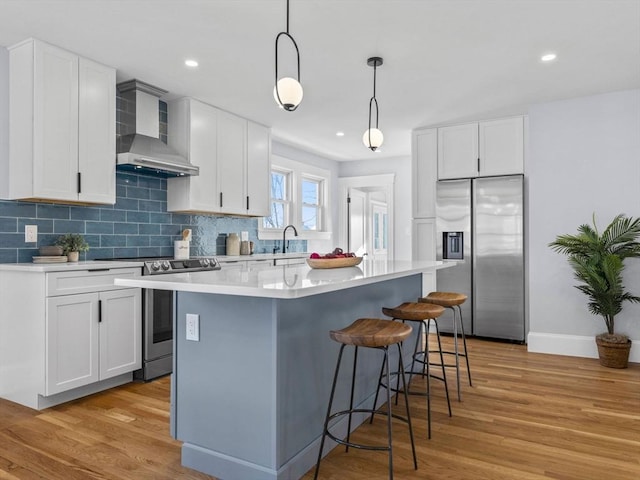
(424, 313)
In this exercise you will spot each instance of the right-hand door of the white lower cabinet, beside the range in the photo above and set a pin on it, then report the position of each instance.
(120, 332)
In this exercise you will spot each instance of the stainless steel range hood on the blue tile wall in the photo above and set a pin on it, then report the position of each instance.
(141, 149)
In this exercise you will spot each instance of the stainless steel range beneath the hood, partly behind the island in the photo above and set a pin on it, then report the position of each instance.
(157, 313)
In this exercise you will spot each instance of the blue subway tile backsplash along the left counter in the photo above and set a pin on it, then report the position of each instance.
(138, 225)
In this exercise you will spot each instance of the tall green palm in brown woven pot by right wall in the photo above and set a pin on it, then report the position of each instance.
(597, 260)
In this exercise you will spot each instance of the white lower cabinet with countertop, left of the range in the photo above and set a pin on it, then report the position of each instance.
(77, 334)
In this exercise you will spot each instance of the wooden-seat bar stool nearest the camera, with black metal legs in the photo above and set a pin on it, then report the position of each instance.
(378, 334)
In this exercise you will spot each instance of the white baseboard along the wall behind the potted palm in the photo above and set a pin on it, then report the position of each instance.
(572, 345)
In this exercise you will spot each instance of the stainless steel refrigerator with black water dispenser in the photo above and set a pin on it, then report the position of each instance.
(480, 222)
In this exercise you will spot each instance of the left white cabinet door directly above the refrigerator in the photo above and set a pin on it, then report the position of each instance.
(458, 151)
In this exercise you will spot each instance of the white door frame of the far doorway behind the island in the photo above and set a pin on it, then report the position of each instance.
(385, 183)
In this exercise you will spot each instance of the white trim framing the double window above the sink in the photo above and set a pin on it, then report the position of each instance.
(297, 171)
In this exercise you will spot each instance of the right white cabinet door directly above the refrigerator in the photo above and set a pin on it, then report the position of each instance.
(502, 147)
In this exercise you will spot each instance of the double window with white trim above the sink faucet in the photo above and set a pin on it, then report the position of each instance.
(299, 196)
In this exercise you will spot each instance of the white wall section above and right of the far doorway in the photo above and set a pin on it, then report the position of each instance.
(401, 167)
